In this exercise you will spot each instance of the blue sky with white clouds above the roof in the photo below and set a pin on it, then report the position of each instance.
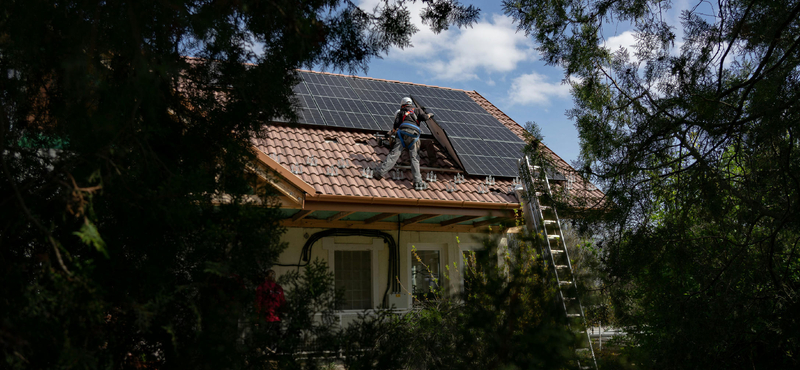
(501, 64)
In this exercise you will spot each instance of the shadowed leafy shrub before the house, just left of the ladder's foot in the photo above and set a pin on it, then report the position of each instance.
(506, 319)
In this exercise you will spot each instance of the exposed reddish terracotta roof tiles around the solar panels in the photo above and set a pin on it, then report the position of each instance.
(296, 144)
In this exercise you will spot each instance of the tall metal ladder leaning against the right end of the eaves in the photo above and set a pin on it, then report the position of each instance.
(543, 219)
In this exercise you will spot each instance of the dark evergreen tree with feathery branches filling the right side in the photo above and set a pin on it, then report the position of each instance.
(694, 141)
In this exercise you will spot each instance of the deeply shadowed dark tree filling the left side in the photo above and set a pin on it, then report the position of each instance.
(126, 234)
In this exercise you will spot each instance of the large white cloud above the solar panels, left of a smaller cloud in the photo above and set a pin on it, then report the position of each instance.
(489, 46)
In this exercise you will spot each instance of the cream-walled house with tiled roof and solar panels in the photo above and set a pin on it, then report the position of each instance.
(366, 228)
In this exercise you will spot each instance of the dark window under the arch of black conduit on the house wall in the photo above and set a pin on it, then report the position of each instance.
(353, 274)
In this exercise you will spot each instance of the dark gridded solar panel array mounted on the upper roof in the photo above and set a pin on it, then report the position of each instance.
(482, 143)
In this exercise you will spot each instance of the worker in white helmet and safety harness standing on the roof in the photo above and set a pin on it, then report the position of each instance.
(406, 122)
